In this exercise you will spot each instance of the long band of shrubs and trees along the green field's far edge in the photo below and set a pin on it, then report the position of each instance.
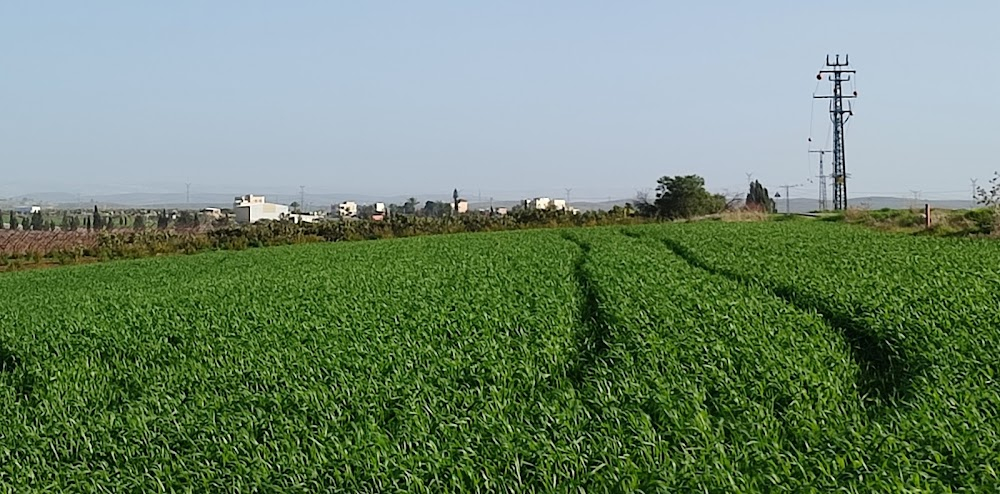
(676, 197)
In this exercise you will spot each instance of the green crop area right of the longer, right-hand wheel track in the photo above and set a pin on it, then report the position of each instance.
(921, 315)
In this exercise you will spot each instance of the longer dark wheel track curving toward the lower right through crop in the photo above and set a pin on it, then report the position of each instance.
(885, 372)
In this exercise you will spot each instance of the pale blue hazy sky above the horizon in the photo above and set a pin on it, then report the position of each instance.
(508, 98)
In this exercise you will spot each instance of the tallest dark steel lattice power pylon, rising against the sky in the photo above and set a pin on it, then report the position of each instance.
(837, 73)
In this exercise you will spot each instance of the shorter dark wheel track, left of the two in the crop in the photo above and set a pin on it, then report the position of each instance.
(595, 333)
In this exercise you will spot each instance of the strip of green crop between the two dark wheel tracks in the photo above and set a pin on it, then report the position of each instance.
(706, 385)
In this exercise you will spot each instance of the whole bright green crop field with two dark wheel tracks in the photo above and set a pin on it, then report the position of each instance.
(703, 357)
